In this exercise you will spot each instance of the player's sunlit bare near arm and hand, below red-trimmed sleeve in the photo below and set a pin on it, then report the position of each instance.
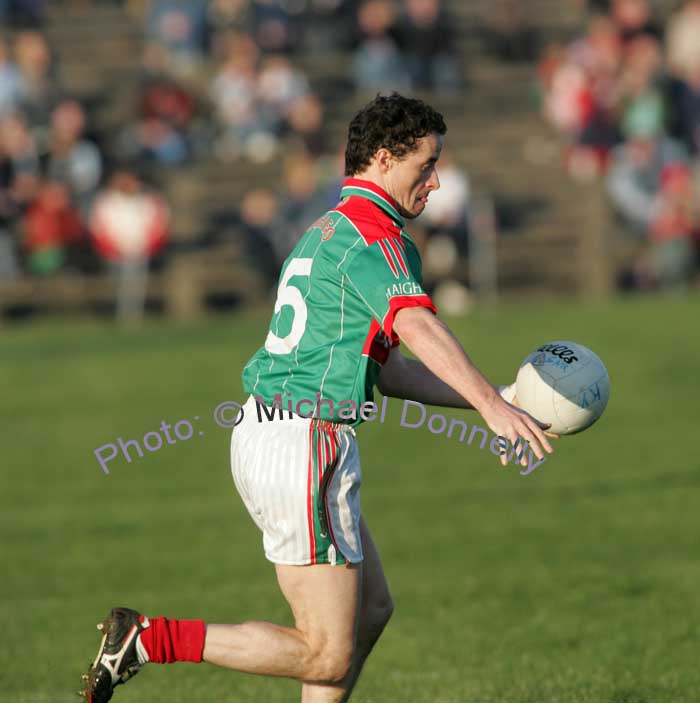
(434, 344)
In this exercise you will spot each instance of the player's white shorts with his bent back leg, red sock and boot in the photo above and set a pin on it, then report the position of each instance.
(281, 490)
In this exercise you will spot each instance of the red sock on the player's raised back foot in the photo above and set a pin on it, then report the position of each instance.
(167, 641)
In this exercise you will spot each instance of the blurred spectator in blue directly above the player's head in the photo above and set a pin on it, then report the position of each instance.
(377, 63)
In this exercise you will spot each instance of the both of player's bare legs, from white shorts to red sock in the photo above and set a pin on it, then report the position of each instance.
(333, 607)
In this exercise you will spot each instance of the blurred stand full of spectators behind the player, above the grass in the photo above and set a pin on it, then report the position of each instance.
(162, 157)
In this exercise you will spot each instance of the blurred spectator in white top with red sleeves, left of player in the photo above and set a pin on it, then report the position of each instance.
(129, 226)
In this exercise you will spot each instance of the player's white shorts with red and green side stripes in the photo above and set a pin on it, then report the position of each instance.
(300, 480)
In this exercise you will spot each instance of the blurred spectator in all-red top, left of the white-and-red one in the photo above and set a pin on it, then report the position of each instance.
(52, 229)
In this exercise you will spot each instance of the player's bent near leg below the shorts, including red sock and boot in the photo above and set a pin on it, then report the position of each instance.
(324, 600)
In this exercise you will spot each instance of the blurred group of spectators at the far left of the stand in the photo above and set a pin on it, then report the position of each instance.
(65, 203)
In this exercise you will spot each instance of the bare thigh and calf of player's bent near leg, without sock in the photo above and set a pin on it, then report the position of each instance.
(324, 601)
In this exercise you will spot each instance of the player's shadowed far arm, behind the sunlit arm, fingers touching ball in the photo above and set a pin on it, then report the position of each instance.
(411, 379)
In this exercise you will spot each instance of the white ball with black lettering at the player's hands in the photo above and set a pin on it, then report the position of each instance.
(565, 384)
